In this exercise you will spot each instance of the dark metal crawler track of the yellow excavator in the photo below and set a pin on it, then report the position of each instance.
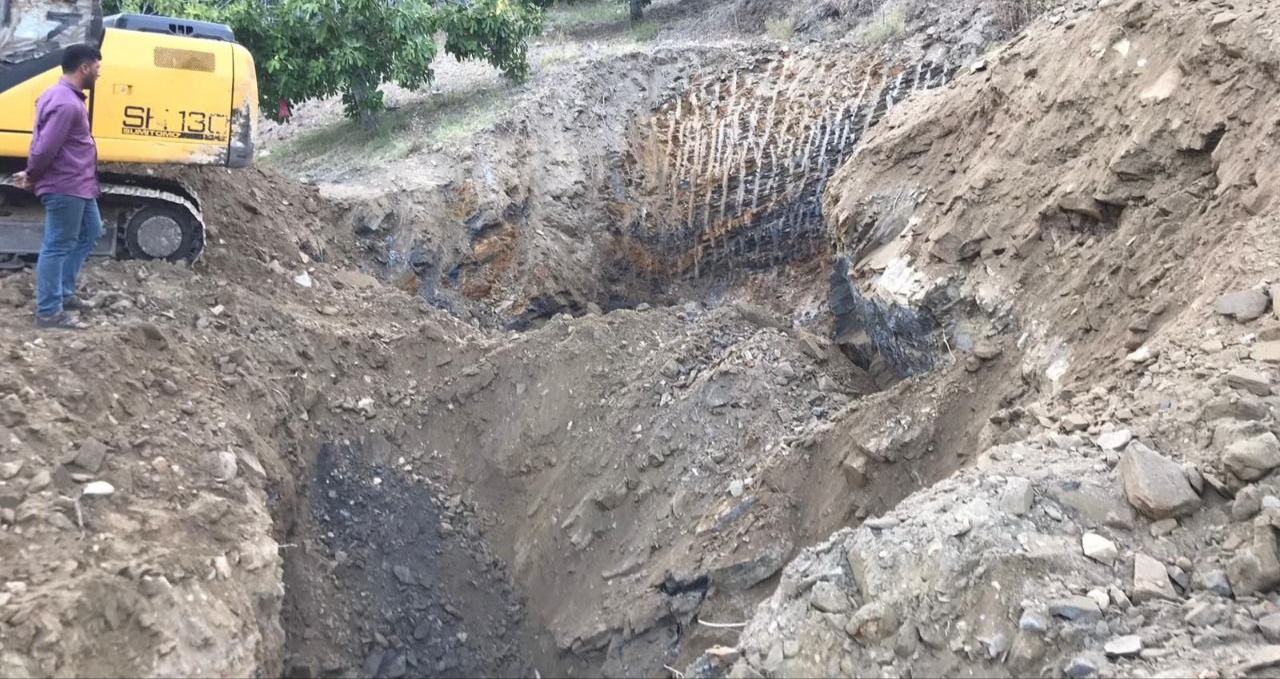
(143, 218)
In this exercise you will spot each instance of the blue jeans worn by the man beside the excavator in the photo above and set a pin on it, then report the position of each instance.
(72, 229)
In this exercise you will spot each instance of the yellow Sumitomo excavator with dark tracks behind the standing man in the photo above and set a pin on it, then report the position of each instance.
(172, 92)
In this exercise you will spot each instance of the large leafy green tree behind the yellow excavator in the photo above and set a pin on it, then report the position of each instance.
(309, 49)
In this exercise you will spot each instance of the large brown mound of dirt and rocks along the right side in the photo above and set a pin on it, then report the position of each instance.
(1069, 217)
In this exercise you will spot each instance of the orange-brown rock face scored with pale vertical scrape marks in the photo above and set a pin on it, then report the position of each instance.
(728, 177)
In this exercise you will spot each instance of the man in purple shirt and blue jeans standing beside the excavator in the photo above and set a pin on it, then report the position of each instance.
(62, 170)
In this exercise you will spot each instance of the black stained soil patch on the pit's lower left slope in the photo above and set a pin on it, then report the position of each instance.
(387, 580)
